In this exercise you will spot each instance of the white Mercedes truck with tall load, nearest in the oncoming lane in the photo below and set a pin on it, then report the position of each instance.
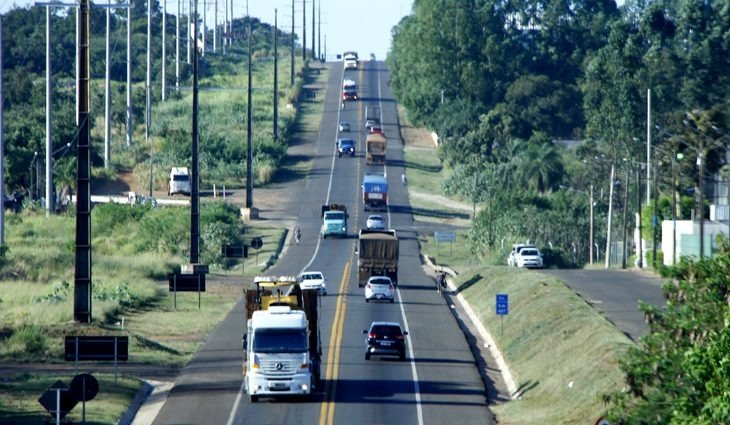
(282, 348)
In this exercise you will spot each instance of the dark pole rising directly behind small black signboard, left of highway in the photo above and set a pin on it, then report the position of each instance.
(194, 180)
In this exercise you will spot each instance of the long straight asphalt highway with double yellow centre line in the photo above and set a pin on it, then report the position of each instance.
(439, 381)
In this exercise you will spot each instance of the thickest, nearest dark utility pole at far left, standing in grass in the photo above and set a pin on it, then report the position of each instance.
(82, 272)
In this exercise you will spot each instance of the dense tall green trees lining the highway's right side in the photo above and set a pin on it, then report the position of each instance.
(502, 83)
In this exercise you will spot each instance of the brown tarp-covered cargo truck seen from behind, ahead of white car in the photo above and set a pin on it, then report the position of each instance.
(377, 255)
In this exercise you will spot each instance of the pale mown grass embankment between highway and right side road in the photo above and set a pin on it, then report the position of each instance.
(562, 353)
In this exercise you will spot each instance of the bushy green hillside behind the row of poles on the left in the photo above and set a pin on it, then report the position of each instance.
(222, 129)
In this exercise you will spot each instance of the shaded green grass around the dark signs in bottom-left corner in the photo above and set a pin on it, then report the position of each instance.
(19, 398)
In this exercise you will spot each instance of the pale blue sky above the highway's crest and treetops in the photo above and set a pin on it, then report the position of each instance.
(360, 25)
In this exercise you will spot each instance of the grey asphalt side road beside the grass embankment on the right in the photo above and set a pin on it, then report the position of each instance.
(616, 293)
